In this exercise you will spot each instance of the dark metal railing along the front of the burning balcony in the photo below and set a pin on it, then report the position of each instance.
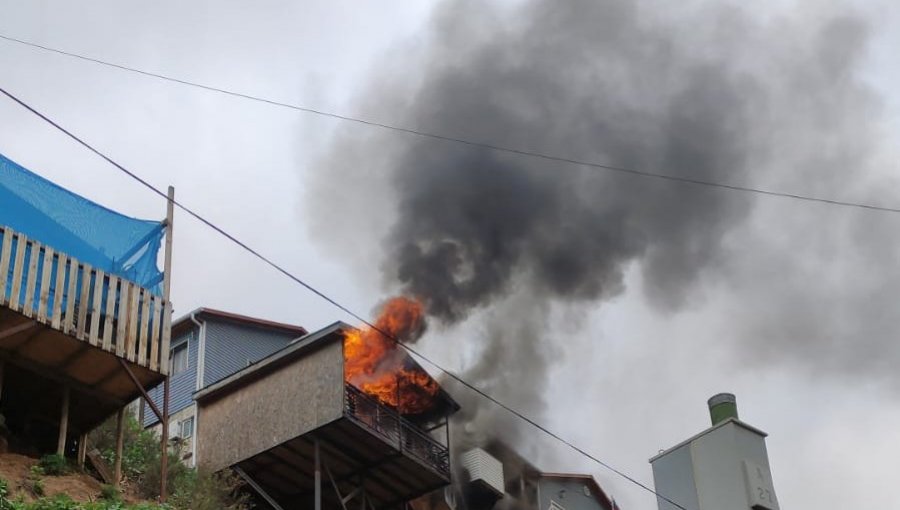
(396, 430)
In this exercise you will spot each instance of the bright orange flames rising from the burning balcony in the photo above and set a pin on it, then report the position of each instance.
(382, 369)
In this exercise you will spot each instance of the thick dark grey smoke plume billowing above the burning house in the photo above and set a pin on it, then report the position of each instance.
(713, 94)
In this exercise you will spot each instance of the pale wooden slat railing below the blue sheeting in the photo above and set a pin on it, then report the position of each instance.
(106, 311)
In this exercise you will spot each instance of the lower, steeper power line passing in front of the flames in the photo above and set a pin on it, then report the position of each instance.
(343, 308)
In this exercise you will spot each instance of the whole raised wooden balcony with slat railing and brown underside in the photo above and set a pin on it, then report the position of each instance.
(70, 323)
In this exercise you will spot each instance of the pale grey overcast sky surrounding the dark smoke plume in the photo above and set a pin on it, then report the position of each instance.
(627, 378)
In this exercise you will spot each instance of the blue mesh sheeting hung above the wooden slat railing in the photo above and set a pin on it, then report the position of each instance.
(91, 233)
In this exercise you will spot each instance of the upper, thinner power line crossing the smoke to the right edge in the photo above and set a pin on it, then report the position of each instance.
(468, 142)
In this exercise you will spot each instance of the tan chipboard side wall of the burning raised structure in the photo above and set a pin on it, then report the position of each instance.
(286, 403)
